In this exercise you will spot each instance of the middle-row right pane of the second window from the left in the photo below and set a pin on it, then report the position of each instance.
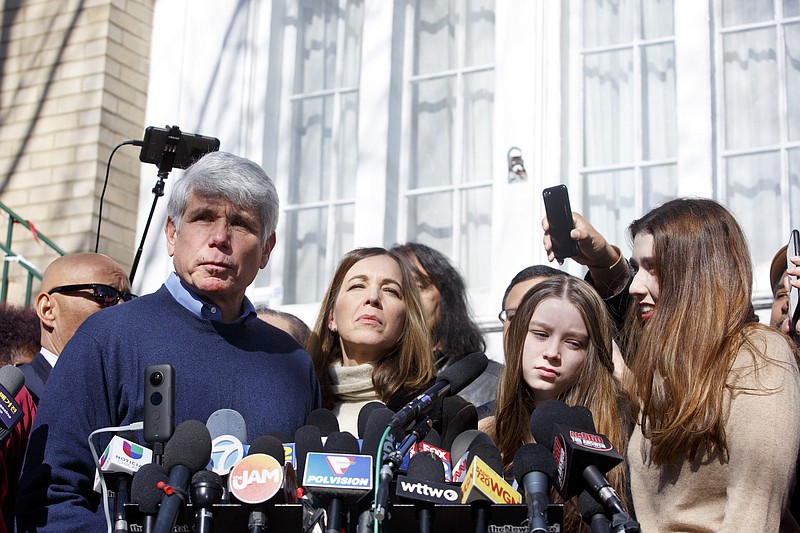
(478, 120)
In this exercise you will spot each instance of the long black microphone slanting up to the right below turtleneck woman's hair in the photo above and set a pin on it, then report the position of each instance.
(450, 381)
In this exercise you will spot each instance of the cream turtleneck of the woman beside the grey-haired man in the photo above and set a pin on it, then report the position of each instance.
(352, 389)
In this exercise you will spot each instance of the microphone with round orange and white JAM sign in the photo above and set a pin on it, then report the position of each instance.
(257, 478)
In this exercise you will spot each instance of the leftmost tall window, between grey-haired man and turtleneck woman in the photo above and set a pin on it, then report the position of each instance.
(324, 145)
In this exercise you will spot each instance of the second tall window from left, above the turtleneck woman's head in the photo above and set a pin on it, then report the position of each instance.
(448, 194)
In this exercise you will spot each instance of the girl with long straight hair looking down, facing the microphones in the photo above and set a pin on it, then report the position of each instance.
(558, 346)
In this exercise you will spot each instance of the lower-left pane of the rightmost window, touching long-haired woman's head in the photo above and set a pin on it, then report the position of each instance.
(754, 180)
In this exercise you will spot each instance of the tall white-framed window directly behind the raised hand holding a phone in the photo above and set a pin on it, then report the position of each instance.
(628, 114)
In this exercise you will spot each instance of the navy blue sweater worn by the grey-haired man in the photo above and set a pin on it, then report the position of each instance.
(252, 367)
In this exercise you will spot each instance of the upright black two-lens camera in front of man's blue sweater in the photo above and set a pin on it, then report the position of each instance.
(159, 403)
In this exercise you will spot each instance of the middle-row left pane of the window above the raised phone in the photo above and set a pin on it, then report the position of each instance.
(608, 108)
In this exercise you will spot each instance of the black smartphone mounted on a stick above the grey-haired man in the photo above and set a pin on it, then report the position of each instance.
(189, 146)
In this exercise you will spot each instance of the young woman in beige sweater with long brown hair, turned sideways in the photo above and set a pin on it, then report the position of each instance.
(717, 438)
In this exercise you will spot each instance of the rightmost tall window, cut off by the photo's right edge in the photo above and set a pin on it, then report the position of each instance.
(759, 61)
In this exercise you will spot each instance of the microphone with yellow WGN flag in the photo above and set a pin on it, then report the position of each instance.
(482, 485)
